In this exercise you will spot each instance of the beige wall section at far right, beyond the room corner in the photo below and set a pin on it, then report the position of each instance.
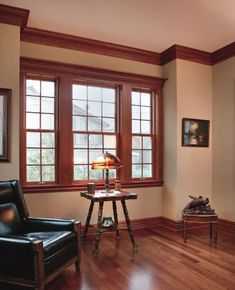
(224, 138)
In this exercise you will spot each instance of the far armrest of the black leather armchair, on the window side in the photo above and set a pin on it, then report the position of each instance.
(34, 224)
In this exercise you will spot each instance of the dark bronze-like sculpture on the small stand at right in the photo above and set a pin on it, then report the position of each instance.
(198, 205)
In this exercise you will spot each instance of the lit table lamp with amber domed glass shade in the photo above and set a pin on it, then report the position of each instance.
(106, 161)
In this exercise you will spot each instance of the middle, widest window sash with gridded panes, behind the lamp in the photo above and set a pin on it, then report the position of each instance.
(94, 128)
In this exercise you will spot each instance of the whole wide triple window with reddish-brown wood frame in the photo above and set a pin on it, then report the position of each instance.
(70, 115)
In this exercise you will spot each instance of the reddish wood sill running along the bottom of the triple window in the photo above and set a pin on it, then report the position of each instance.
(75, 187)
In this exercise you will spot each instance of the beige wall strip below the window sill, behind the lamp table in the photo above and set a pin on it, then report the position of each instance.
(71, 205)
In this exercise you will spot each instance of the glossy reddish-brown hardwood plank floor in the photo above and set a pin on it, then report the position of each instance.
(163, 261)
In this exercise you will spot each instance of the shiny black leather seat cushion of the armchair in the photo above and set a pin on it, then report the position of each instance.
(53, 242)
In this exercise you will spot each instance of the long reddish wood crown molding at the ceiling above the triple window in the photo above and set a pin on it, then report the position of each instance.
(45, 37)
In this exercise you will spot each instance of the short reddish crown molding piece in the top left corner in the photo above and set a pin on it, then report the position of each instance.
(14, 16)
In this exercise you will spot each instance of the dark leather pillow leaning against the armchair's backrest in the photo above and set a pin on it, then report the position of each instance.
(10, 222)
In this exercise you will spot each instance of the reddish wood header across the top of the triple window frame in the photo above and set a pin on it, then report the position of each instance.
(78, 71)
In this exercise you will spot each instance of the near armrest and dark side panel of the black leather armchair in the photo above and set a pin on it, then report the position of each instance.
(17, 256)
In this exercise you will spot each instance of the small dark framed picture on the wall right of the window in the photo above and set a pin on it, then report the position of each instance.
(195, 132)
